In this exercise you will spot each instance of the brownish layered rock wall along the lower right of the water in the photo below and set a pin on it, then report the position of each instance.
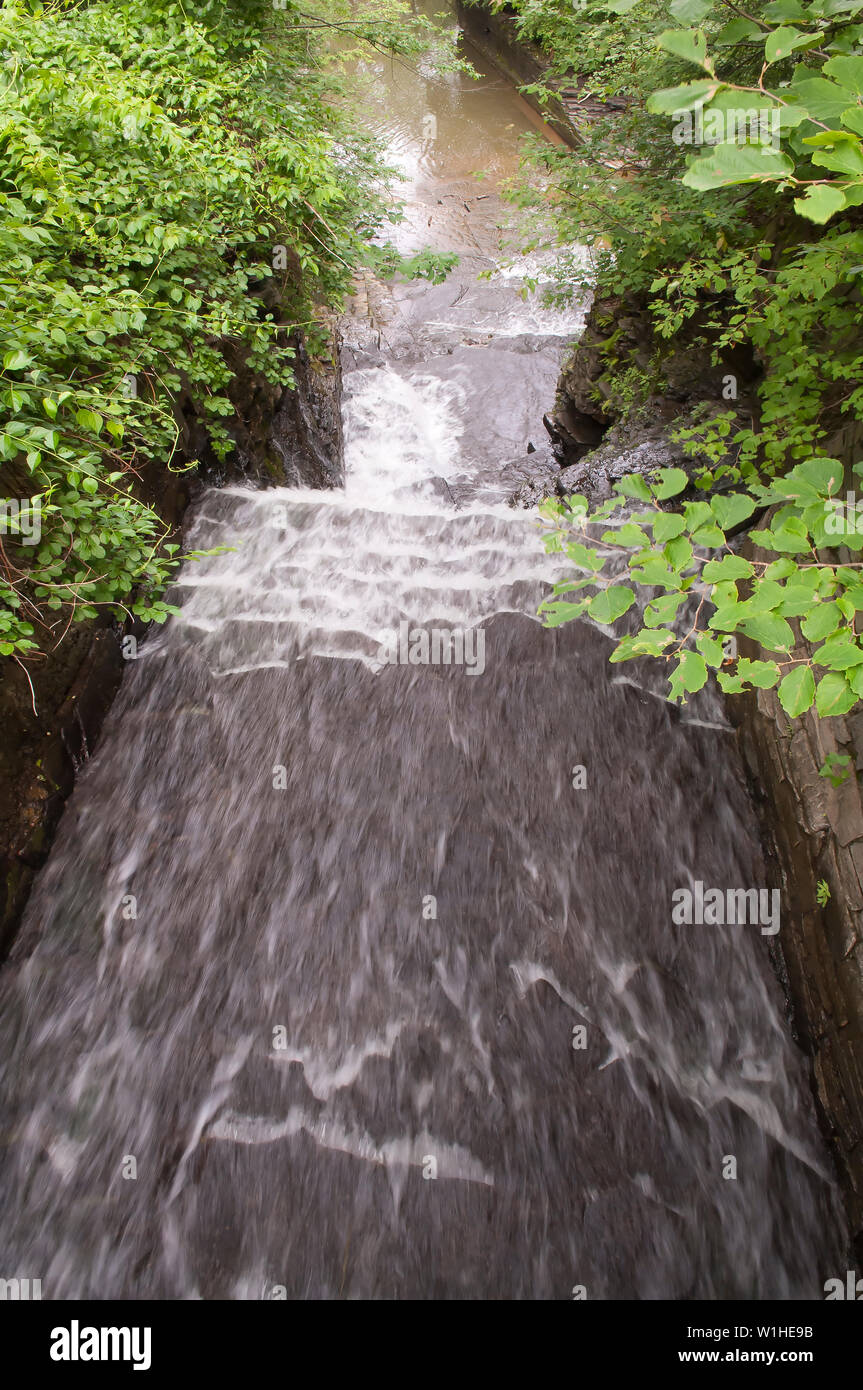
(815, 833)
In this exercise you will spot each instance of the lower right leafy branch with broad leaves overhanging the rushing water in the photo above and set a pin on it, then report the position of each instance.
(689, 557)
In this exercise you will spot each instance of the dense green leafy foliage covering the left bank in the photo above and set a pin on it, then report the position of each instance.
(179, 197)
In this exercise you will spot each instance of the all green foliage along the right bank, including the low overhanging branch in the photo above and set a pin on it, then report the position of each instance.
(739, 229)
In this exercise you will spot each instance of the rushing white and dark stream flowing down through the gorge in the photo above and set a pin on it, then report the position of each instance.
(338, 981)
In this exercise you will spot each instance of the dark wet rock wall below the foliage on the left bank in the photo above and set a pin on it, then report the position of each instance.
(284, 436)
